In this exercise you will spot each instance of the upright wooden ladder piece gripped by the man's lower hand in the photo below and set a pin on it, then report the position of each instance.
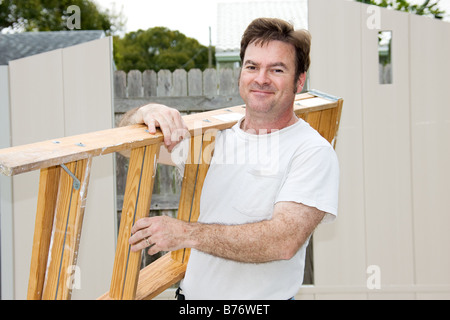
(141, 172)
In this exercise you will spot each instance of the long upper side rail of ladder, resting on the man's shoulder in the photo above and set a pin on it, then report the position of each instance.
(48, 153)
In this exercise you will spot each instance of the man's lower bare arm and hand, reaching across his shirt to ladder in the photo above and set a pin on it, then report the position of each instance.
(275, 239)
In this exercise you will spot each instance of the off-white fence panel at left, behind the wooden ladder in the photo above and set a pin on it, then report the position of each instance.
(55, 94)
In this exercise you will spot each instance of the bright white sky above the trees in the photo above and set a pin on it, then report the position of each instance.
(191, 17)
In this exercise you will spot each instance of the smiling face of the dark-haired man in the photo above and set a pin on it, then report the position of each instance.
(267, 81)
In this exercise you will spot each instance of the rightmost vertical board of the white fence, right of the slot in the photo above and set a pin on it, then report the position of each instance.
(430, 148)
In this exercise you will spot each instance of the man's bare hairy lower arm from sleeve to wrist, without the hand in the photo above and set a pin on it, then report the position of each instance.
(276, 239)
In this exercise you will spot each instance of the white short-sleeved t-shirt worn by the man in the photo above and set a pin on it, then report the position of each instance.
(248, 174)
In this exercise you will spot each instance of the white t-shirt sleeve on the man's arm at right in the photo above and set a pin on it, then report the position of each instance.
(313, 180)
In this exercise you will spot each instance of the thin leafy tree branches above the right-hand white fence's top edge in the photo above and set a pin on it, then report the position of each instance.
(427, 8)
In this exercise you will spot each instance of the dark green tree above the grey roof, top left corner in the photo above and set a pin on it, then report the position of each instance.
(51, 15)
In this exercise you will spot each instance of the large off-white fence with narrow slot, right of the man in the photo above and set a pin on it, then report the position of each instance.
(394, 151)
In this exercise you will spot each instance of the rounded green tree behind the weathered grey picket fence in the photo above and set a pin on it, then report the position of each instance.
(159, 48)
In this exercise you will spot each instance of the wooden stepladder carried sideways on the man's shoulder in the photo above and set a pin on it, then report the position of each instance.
(63, 188)
